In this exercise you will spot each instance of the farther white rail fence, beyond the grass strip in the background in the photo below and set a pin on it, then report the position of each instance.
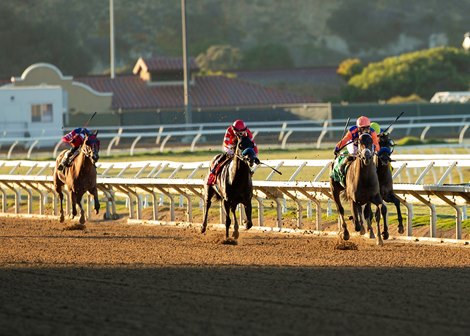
(275, 133)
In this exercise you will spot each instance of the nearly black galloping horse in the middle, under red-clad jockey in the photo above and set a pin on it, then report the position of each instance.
(234, 186)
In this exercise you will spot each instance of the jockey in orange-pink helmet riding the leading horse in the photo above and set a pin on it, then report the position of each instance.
(363, 125)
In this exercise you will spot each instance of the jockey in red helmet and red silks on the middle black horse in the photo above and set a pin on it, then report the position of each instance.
(233, 132)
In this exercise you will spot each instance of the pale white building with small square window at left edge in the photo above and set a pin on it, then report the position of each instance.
(32, 111)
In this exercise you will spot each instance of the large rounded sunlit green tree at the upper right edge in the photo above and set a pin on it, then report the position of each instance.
(421, 73)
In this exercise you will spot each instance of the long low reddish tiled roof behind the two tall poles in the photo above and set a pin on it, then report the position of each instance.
(131, 92)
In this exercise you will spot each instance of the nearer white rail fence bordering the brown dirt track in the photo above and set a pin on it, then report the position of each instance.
(434, 182)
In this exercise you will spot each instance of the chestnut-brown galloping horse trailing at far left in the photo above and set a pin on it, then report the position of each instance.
(80, 177)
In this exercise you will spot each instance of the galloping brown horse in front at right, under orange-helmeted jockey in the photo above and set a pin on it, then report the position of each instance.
(362, 188)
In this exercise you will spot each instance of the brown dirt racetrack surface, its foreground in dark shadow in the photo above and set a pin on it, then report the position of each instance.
(119, 279)
